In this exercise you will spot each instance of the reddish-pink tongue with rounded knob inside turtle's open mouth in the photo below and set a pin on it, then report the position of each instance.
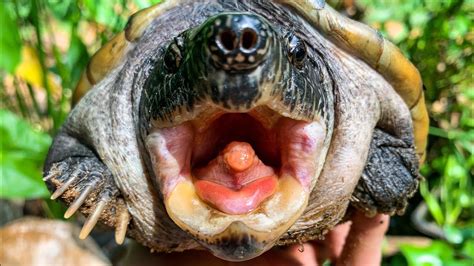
(236, 181)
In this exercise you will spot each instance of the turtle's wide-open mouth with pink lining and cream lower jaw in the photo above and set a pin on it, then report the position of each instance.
(221, 168)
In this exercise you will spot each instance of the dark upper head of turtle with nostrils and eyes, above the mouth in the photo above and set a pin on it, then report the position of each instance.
(237, 62)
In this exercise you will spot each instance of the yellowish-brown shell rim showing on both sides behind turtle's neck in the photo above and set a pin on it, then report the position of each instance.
(355, 38)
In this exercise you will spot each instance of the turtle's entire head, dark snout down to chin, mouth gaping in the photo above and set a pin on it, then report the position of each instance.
(238, 124)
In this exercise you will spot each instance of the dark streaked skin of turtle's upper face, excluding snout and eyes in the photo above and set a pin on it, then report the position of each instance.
(306, 92)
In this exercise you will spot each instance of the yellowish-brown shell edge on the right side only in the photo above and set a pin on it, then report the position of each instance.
(383, 56)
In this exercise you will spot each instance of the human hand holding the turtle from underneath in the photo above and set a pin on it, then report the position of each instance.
(357, 242)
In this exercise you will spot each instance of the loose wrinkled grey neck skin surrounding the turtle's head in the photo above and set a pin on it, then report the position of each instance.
(362, 100)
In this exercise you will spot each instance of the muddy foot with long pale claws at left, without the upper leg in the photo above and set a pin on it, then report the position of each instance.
(87, 183)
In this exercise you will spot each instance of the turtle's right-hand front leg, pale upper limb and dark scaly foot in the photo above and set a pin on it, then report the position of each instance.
(390, 177)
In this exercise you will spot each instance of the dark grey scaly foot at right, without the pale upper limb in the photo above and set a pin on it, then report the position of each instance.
(390, 177)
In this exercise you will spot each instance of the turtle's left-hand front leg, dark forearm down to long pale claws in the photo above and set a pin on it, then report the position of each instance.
(75, 173)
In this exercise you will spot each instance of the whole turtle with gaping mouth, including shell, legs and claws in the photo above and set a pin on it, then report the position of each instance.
(239, 125)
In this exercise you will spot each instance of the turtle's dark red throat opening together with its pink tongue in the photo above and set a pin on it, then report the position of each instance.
(236, 181)
